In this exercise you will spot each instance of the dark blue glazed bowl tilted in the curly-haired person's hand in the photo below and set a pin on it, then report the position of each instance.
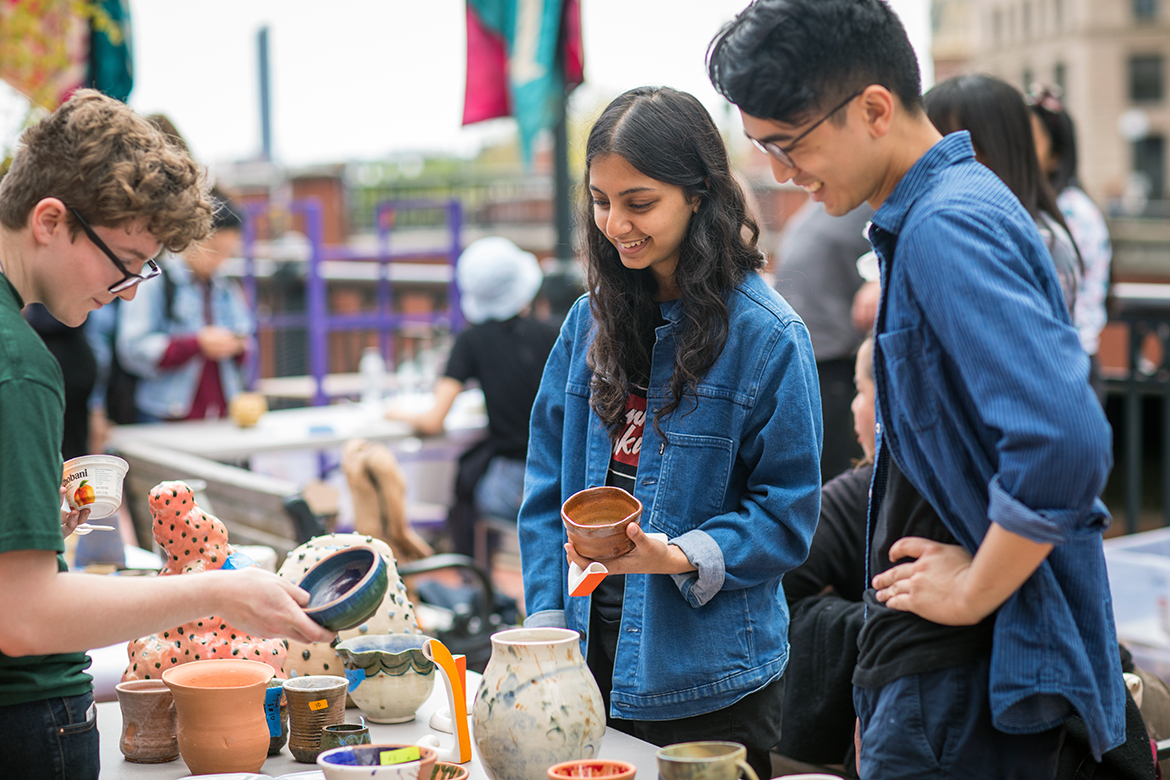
(346, 588)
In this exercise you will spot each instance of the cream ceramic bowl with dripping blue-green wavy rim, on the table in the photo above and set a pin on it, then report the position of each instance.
(394, 679)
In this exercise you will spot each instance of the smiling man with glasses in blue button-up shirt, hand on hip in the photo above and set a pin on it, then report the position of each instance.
(988, 619)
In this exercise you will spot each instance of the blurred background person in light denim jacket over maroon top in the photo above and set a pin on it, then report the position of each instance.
(187, 339)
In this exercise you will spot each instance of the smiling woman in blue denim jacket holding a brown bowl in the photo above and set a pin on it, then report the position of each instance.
(685, 379)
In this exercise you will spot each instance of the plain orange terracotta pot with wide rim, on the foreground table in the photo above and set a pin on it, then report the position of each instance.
(221, 705)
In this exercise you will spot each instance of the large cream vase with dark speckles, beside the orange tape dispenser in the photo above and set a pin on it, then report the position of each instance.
(538, 705)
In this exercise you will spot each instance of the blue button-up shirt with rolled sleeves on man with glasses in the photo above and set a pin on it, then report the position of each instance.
(983, 399)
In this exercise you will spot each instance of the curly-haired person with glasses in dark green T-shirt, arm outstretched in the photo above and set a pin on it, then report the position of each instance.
(94, 195)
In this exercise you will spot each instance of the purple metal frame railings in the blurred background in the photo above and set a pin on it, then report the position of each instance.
(316, 320)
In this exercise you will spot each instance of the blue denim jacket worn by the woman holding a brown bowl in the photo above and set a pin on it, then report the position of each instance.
(734, 481)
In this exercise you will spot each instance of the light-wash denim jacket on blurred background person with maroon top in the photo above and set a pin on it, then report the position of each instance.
(144, 334)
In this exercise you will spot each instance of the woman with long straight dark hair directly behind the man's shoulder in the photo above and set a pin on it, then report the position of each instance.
(995, 114)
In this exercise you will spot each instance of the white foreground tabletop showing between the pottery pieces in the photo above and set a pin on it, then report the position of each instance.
(616, 746)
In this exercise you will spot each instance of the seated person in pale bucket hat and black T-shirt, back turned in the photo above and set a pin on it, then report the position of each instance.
(505, 350)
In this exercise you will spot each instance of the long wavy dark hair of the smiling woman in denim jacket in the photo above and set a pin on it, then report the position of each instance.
(667, 136)
